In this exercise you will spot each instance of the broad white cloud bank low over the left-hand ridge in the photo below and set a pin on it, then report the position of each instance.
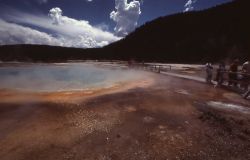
(64, 31)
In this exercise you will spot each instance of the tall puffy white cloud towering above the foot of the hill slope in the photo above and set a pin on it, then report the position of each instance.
(126, 16)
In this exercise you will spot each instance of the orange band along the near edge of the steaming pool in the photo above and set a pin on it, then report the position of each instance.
(70, 96)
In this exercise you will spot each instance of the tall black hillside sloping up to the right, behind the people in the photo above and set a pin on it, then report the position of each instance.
(218, 33)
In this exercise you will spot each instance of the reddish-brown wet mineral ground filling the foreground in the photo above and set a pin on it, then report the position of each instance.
(173, 118)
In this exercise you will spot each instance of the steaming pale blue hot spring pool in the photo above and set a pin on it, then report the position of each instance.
(63, 77)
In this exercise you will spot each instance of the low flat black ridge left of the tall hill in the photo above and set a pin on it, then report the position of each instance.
(43, 53)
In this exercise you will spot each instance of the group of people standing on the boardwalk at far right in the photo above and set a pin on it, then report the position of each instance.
(235, 76)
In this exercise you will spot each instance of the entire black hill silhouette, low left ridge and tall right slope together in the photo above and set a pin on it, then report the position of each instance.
(218, 33)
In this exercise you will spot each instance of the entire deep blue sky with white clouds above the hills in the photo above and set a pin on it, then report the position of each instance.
(83, 23)
